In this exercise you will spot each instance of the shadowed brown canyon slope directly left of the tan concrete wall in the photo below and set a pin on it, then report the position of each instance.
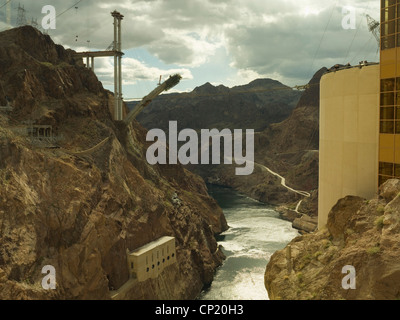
(289, 148)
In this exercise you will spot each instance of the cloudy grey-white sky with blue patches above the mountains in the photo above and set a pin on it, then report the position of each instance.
(229, 42)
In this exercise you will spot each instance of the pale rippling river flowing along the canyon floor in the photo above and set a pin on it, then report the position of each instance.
(255, 233)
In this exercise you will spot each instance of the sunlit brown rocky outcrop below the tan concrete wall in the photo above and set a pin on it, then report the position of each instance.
(360, 233)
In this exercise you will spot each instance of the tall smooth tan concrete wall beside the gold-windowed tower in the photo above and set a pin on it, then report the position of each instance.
(349, 136)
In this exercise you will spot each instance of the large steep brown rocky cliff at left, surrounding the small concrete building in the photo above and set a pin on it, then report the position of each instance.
(80, 211)
